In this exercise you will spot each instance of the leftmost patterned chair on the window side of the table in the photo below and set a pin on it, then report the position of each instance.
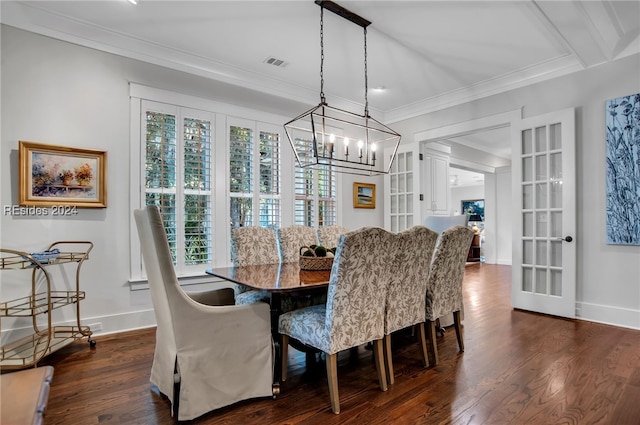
(252, 245)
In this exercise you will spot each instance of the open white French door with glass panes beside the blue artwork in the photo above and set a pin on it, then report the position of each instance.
(544, 246)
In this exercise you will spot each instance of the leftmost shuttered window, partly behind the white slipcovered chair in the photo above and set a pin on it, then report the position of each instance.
(177, 178)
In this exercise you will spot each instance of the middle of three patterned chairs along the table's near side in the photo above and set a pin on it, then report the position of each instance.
(407, 288)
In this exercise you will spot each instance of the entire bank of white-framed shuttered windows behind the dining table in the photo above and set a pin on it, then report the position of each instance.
(210, 170)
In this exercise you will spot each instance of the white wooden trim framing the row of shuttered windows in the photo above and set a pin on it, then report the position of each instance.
(223, 113)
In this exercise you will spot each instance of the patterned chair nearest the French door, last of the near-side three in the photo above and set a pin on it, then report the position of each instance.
(444, 287)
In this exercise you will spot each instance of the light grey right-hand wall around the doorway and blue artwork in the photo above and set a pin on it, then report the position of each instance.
(608, 276)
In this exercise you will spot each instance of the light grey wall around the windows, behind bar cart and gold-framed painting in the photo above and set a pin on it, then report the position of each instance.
(62, 94)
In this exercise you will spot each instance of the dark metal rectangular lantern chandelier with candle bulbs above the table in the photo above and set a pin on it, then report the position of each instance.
(348, 142)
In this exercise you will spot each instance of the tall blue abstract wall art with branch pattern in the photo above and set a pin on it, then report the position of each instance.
(623, 170)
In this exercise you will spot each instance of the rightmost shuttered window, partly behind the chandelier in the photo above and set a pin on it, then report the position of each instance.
(315, 192)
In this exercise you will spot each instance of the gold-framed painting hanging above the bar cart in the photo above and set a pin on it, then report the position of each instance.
(52, 175)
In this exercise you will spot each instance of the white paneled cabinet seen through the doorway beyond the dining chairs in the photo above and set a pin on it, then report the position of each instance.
(435, 179)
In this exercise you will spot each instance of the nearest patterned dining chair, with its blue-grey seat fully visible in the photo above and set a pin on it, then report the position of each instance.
(354, 313)
